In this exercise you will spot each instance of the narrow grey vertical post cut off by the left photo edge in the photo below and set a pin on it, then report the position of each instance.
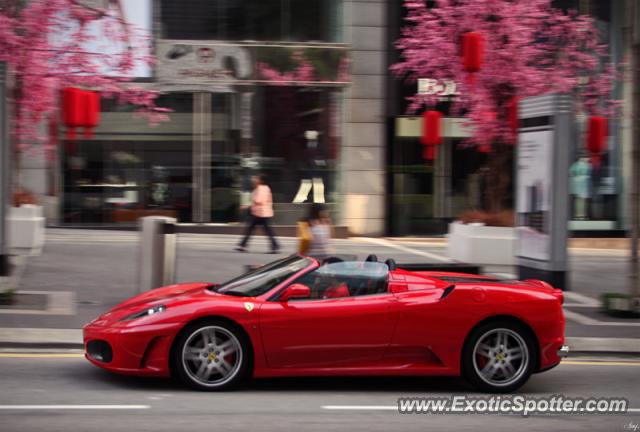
(4, 170)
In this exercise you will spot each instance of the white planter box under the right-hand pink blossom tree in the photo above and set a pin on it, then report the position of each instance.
(481, 244)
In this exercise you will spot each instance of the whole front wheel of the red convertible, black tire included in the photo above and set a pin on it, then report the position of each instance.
(191, 353)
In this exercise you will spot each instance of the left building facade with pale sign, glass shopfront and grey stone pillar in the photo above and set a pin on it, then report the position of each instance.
(291, 89)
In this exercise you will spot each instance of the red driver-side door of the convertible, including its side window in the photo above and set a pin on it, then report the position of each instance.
(335, 327)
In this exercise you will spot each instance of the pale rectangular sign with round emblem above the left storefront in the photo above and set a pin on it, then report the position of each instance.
(200, 62)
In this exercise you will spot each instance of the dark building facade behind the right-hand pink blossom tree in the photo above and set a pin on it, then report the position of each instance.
(423, 197)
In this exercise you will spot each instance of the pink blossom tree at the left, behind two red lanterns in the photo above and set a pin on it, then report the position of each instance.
(52, 44)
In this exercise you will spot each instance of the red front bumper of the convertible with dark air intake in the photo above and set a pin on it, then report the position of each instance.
(135, 350)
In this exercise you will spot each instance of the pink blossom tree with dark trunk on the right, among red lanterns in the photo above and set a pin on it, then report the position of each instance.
(530, 48)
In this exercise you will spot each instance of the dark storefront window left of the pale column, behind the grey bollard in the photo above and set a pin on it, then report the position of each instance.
(128, 170)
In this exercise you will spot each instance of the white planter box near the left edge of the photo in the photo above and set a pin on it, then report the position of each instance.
(26, 227)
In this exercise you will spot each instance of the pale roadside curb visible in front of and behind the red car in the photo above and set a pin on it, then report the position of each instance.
(72, 338)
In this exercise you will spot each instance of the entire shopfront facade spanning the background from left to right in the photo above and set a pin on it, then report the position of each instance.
(298, 90)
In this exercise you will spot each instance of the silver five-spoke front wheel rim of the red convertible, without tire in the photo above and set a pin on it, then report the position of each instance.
(212, 356)
